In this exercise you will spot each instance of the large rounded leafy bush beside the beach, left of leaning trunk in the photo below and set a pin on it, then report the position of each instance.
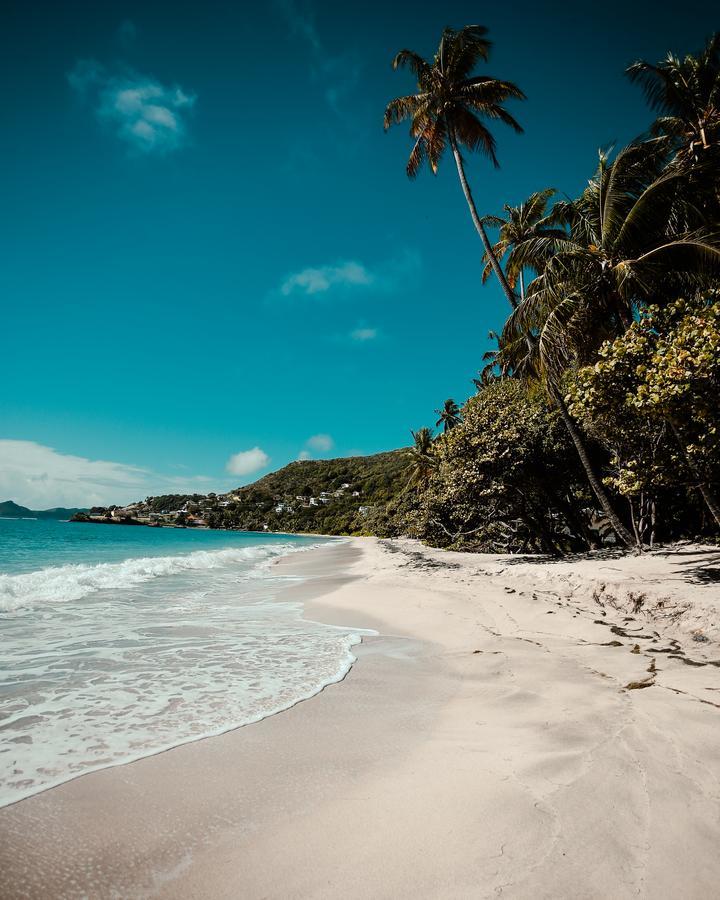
(500, 482)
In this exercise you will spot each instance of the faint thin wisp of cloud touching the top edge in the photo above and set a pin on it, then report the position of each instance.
(337, 73)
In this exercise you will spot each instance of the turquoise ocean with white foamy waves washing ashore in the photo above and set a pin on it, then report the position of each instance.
(118, 642)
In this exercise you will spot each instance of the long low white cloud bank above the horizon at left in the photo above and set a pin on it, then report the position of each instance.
(39, 477)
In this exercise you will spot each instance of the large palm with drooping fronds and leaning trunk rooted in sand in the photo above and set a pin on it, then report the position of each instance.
(627, 242)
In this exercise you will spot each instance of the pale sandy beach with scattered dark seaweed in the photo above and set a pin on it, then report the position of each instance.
(517, 729)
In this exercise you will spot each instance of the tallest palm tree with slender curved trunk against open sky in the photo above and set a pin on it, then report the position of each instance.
(448, 109)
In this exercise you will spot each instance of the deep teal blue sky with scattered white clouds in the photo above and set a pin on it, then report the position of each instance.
(211, 260)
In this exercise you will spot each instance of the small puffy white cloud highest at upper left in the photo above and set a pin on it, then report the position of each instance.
(147, 115)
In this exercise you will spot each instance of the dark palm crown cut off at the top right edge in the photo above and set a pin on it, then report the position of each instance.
(686, 93)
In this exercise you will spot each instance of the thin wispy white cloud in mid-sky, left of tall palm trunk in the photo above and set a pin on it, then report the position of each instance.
(350, 274)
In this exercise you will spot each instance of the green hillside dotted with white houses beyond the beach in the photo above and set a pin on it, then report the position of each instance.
(333, 496)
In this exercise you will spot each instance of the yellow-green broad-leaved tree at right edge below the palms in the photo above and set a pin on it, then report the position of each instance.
(652, 400)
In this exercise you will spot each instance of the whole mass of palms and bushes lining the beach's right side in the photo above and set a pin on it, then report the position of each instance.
(596, 417)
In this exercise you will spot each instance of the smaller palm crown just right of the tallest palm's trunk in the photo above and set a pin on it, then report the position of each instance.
(527, 238)
